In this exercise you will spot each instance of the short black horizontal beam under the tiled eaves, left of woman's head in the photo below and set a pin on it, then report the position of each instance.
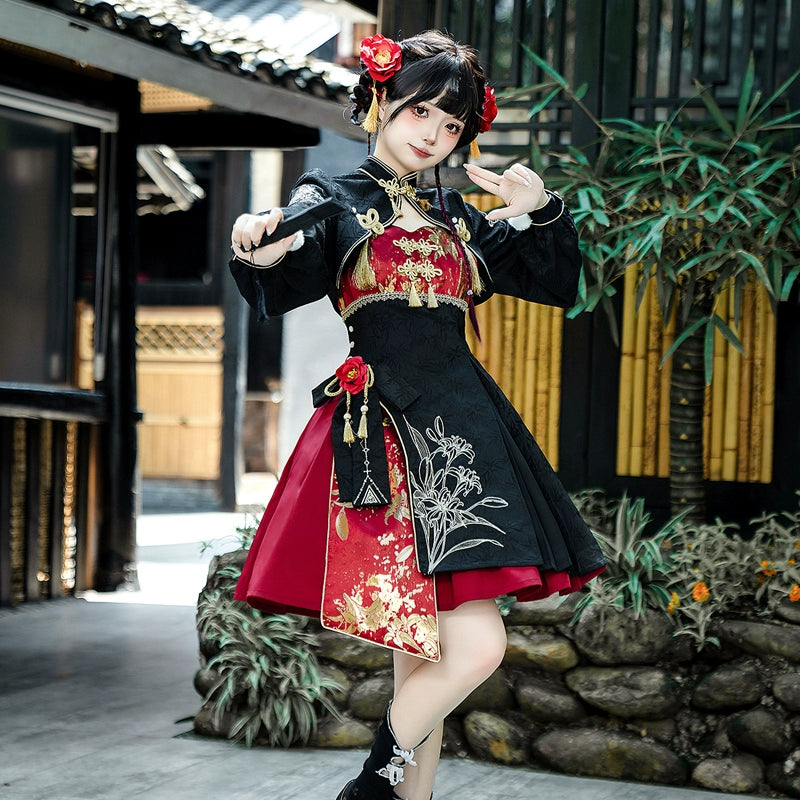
(218, 130)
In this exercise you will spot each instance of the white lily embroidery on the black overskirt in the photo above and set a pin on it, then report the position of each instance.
(440, 489)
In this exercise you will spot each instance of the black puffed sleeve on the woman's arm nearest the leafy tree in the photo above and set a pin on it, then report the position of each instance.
(541, 264)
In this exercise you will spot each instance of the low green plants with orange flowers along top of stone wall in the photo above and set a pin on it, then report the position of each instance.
(698, 574)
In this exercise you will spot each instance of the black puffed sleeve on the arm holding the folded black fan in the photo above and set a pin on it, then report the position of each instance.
(301, 276)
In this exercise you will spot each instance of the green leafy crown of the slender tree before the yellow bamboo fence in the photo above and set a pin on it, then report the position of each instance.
(699, 206)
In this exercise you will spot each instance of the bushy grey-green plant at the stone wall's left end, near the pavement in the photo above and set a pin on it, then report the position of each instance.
(268, 675)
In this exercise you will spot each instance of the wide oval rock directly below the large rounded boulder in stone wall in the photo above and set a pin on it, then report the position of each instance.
(640, 692)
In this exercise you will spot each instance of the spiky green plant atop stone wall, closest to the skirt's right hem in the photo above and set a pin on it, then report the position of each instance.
(638, 566)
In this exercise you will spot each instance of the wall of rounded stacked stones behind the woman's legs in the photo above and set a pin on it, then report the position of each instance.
(633, 703)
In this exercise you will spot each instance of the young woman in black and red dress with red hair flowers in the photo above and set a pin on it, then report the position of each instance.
(415, 495)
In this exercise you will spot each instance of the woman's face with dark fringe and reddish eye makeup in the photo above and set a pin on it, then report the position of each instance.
(419, 137)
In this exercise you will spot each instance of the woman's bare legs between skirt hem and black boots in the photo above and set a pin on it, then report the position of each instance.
(473, 643)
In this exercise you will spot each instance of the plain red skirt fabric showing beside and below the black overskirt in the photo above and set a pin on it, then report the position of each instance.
(285, 569)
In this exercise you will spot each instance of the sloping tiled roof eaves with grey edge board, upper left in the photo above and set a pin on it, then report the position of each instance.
(231, 71)
